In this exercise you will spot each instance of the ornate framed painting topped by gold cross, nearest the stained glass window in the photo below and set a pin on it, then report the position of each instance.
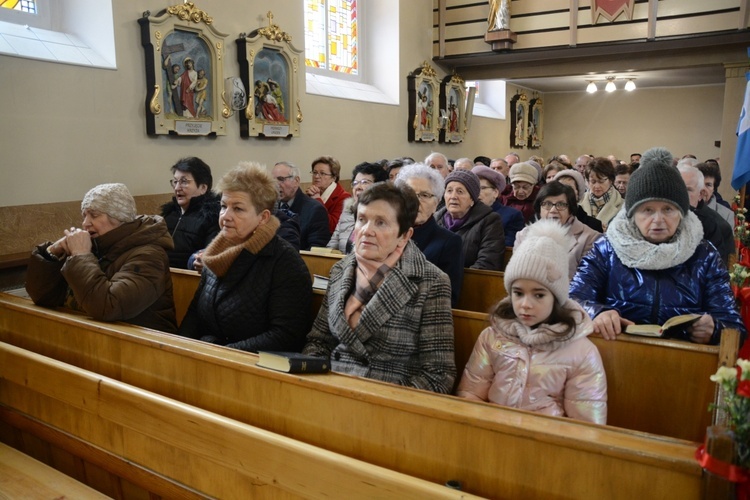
(270, 70)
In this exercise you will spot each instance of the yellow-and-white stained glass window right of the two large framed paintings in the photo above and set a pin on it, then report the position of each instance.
(331, 35)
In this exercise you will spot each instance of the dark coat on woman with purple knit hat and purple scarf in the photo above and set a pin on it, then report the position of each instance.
(483, 237)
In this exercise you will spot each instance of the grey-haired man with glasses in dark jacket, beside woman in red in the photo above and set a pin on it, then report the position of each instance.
(313, 217)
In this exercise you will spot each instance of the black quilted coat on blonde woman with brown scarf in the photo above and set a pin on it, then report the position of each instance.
(263, 302)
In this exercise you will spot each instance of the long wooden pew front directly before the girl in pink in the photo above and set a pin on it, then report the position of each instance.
(494, 451)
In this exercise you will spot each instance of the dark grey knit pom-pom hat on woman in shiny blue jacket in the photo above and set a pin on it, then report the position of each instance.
(656, 180)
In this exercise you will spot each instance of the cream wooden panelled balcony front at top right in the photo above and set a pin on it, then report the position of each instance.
(547, 23)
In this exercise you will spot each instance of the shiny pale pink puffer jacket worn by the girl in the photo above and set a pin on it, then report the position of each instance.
(538, 370)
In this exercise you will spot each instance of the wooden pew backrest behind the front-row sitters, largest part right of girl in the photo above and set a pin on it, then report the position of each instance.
(630, 362)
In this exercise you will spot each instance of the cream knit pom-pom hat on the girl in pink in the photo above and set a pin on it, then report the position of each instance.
(542, 256)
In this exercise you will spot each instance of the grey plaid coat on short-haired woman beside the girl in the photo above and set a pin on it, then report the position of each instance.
(405, 332)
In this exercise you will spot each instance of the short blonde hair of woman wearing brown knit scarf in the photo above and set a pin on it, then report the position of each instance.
(251, 178)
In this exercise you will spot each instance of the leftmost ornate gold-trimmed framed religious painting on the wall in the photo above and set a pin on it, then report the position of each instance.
(184, 72)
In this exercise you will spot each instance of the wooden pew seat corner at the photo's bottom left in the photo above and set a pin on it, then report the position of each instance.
(23, 477)
